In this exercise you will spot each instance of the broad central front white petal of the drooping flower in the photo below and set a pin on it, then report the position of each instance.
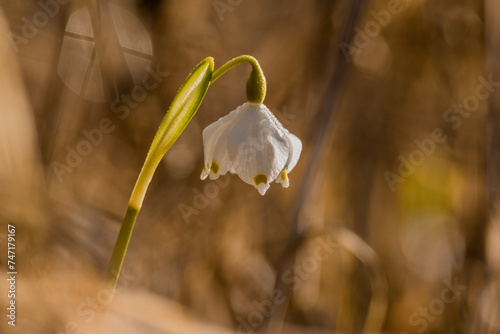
(257, 145)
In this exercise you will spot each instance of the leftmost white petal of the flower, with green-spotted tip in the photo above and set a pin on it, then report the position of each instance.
(215, 146)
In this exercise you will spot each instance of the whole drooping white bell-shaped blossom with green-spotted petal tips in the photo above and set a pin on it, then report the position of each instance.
(252, 143)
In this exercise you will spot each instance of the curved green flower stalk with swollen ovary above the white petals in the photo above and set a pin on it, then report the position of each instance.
(256, 83)
